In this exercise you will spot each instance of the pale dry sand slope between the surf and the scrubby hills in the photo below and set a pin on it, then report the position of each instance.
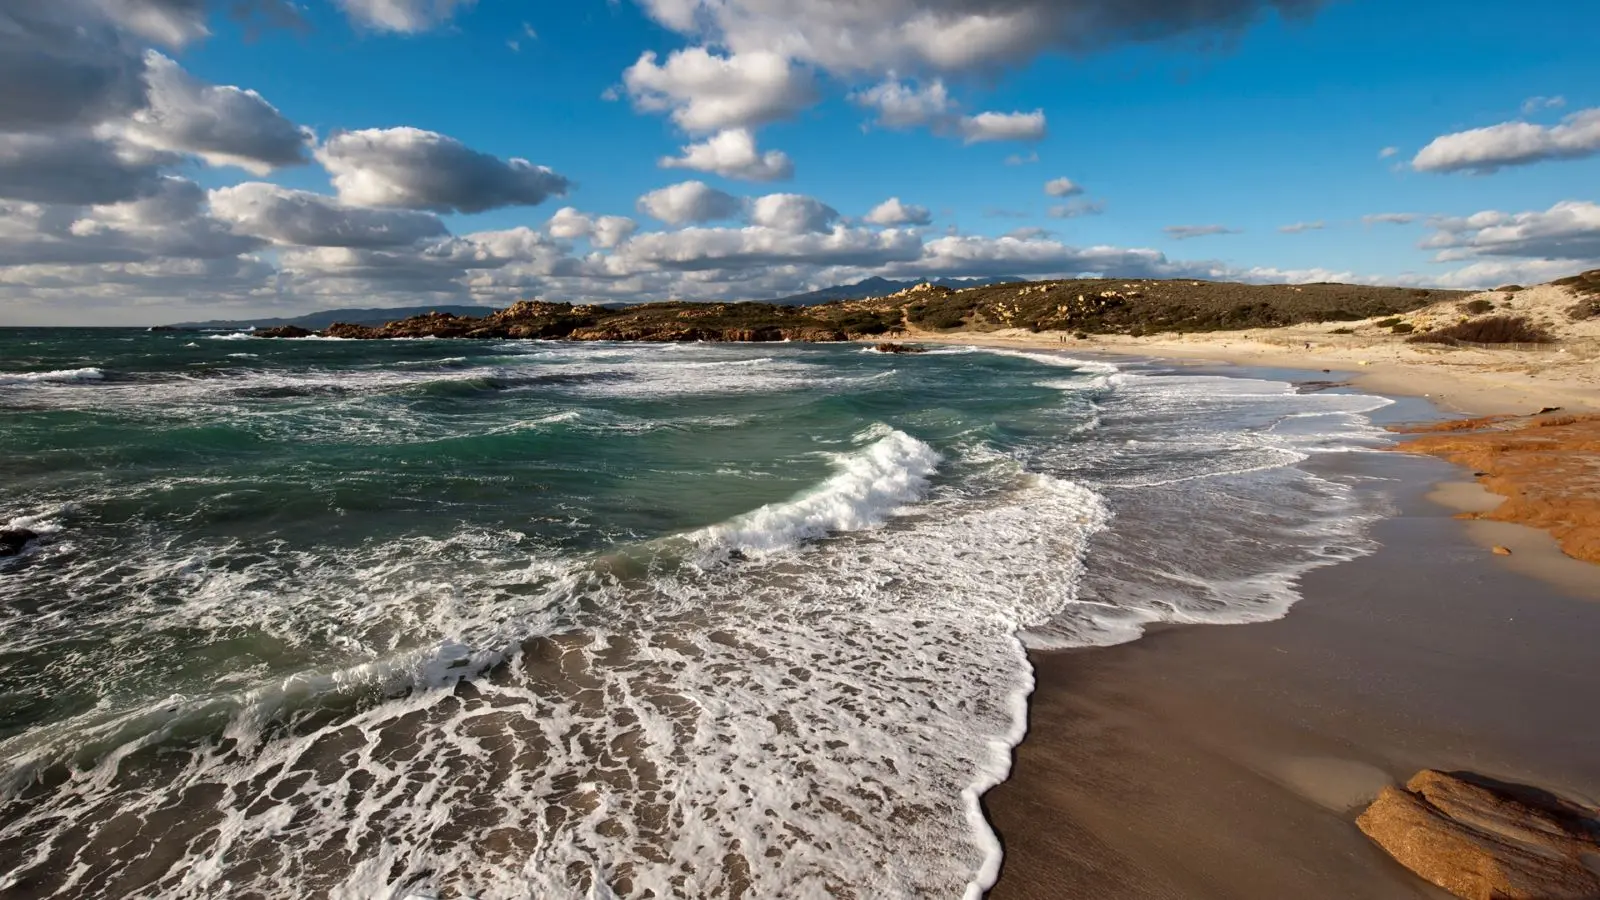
(1478, 382)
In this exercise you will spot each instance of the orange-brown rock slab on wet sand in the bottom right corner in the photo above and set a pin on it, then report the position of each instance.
(1484, 840)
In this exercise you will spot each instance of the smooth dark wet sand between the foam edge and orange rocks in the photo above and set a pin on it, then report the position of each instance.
(1231, 761)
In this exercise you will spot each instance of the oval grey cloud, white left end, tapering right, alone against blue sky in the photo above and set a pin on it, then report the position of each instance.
(425, 171)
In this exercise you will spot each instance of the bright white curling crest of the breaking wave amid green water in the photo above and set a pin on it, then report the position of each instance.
(868, 488)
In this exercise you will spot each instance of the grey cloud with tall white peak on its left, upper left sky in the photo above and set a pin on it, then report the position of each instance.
(223, 126)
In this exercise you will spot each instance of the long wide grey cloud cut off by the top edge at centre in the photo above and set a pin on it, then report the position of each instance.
(950, 36)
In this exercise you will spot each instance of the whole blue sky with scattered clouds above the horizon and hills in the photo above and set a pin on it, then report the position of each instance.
(191, 159)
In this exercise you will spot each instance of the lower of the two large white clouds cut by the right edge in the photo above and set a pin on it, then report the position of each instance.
(1567, 231)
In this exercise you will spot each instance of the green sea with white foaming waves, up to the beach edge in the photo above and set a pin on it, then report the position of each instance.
(431, 619)
